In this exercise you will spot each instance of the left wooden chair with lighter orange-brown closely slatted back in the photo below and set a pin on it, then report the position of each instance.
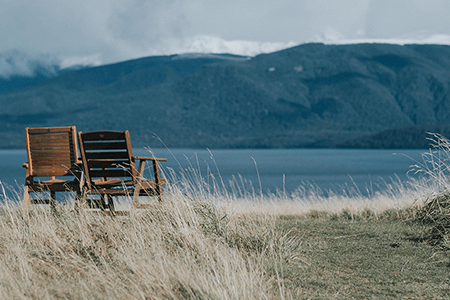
(52, 152)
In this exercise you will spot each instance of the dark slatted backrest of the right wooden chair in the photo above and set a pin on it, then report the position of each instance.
(107, 155)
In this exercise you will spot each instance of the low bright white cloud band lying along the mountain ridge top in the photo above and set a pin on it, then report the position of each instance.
(17, 63)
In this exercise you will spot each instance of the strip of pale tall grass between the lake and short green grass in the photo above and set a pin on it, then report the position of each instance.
(240, 196)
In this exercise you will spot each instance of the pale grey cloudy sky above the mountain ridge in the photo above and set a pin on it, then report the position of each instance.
(105, 31)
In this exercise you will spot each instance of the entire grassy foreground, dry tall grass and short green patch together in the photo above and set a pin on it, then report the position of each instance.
(203, 242)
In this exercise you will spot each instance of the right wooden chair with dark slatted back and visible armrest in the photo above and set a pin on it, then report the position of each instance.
(110, 170)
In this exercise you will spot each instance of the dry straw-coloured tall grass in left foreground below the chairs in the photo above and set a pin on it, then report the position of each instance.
(183, 248)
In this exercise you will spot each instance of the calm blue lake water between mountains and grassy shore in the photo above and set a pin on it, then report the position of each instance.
(277, 168)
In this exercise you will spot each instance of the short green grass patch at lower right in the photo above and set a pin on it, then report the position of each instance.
(365, 259)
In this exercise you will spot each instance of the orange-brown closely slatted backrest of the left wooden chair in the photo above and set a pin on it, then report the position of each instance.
(52, 151)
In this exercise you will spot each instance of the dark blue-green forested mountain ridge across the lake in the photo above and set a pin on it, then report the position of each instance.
(312, 95)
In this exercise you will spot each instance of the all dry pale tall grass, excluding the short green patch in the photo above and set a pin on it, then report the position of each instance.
(208, 239)
